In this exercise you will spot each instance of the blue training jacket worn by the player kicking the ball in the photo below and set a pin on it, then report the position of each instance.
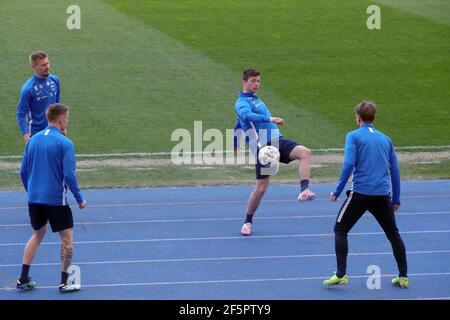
(251, 110)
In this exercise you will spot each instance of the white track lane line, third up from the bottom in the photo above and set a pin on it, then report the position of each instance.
(303, 235)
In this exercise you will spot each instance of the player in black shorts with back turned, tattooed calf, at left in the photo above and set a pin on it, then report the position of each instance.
(48, 170)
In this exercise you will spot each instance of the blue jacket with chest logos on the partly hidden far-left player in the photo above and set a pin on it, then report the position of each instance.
(35, 96)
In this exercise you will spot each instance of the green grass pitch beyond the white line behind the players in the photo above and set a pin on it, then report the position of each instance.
(137, 70)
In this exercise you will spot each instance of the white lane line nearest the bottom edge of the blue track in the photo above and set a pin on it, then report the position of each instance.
(235, 281)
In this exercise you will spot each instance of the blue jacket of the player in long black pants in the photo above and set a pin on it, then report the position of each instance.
(370, 156)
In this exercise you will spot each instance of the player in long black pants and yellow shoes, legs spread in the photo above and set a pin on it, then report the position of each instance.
(370, 156)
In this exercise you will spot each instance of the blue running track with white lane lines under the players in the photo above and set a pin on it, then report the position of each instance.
(184, 243)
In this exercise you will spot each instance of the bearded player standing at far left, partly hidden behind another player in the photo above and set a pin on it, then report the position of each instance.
(37, 93)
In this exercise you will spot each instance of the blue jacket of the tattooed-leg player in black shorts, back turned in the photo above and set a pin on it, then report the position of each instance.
(48, 168)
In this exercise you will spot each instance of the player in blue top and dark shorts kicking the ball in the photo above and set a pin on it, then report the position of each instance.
(260, 129)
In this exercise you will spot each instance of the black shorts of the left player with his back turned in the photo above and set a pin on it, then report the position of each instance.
(60, 217)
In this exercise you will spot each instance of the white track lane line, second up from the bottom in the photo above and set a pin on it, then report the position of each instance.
(297, 256)
